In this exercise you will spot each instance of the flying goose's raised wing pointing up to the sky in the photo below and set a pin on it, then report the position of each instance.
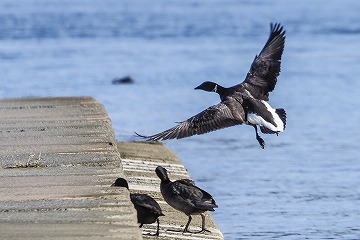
(262, 76)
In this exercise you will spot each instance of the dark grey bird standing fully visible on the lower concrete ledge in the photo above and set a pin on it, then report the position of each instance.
(184, 196)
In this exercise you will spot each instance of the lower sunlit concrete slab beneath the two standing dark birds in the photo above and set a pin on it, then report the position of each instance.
(139, 162)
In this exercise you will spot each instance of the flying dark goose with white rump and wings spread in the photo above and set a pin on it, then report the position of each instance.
(245, 103)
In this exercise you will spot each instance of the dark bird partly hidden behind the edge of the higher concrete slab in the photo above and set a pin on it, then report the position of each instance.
(148, 210)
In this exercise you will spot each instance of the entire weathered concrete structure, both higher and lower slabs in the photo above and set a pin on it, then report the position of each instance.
(58, 159)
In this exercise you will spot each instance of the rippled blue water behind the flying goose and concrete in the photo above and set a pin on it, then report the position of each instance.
(304, 185)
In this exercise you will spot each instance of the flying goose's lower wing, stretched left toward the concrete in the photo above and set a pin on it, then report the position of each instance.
(225, 114)
